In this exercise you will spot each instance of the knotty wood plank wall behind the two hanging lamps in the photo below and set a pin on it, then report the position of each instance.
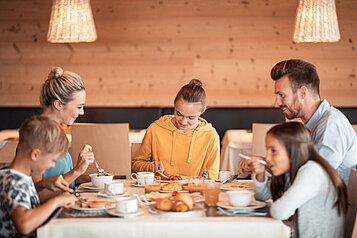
(147, 49)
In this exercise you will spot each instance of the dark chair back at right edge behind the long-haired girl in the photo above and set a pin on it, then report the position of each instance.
(352, 199)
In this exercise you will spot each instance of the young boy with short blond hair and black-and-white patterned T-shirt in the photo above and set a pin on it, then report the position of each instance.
(41, 142)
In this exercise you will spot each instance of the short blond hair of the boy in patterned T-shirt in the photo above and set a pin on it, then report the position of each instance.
(43, 133)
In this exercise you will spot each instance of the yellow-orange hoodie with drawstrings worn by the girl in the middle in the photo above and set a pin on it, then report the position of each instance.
(182, 153)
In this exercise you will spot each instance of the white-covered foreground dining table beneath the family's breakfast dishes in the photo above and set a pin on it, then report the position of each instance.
(205, 222)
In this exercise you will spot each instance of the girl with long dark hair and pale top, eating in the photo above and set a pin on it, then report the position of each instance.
(303, 186)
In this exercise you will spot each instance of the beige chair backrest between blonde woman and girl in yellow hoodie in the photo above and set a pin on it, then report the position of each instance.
(110, 144)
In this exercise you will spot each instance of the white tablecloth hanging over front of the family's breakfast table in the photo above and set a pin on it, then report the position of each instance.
(149, 225)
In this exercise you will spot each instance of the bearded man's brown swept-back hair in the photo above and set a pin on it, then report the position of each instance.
(299, 72)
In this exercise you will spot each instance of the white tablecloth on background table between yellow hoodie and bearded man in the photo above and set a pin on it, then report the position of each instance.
(233, 143)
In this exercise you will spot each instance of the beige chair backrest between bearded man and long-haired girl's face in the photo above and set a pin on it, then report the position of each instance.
(259, 131)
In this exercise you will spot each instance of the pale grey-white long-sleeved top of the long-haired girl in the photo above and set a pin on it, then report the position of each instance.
(314, 195)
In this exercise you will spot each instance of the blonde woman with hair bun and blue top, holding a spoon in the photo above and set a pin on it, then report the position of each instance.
(62, 99)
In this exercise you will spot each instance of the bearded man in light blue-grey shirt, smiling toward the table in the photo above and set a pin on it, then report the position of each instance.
(298, 95)
